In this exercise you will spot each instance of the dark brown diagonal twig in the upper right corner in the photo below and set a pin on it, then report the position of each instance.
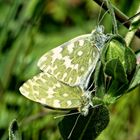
(119, 15)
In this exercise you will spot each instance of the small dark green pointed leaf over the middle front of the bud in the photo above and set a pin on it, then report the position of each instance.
(115, 69)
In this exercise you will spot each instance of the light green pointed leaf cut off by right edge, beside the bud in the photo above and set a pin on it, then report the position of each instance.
(136, 79)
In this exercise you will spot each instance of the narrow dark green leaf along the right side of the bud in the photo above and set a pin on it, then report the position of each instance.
(130, 60)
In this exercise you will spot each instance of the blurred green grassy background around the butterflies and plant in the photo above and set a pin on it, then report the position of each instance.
(28, 29)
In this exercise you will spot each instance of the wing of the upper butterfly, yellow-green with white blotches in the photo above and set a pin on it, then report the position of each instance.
(71, 62)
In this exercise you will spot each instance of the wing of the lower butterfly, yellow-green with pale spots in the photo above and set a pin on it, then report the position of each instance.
(47, 90)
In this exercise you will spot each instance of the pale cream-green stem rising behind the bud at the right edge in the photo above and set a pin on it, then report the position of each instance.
(129, 36)
